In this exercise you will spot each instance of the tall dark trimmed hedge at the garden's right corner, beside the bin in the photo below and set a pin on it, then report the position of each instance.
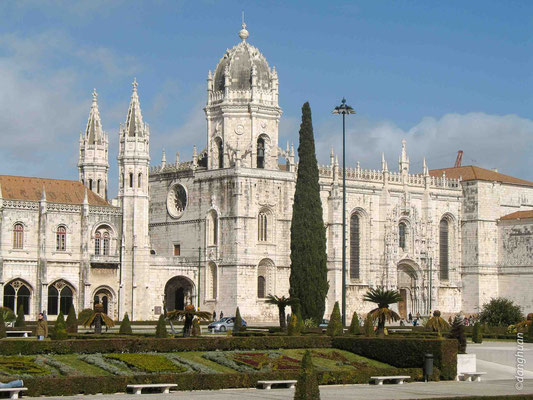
(405, 352)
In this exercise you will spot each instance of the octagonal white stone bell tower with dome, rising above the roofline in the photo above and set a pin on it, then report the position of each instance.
(242, 110)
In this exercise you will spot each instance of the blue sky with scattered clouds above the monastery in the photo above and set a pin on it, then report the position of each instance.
(444, 75)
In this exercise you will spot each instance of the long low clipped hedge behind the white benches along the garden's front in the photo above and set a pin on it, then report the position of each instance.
(72, 385)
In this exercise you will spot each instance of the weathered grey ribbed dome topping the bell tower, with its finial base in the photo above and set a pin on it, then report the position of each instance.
(239, 62)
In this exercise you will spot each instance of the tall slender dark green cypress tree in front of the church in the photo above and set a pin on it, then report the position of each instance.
(309, 273)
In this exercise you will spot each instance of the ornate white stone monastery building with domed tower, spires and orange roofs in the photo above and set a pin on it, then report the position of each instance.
(214, 231)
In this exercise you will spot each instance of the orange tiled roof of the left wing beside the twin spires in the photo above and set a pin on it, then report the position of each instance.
(56, 190)
